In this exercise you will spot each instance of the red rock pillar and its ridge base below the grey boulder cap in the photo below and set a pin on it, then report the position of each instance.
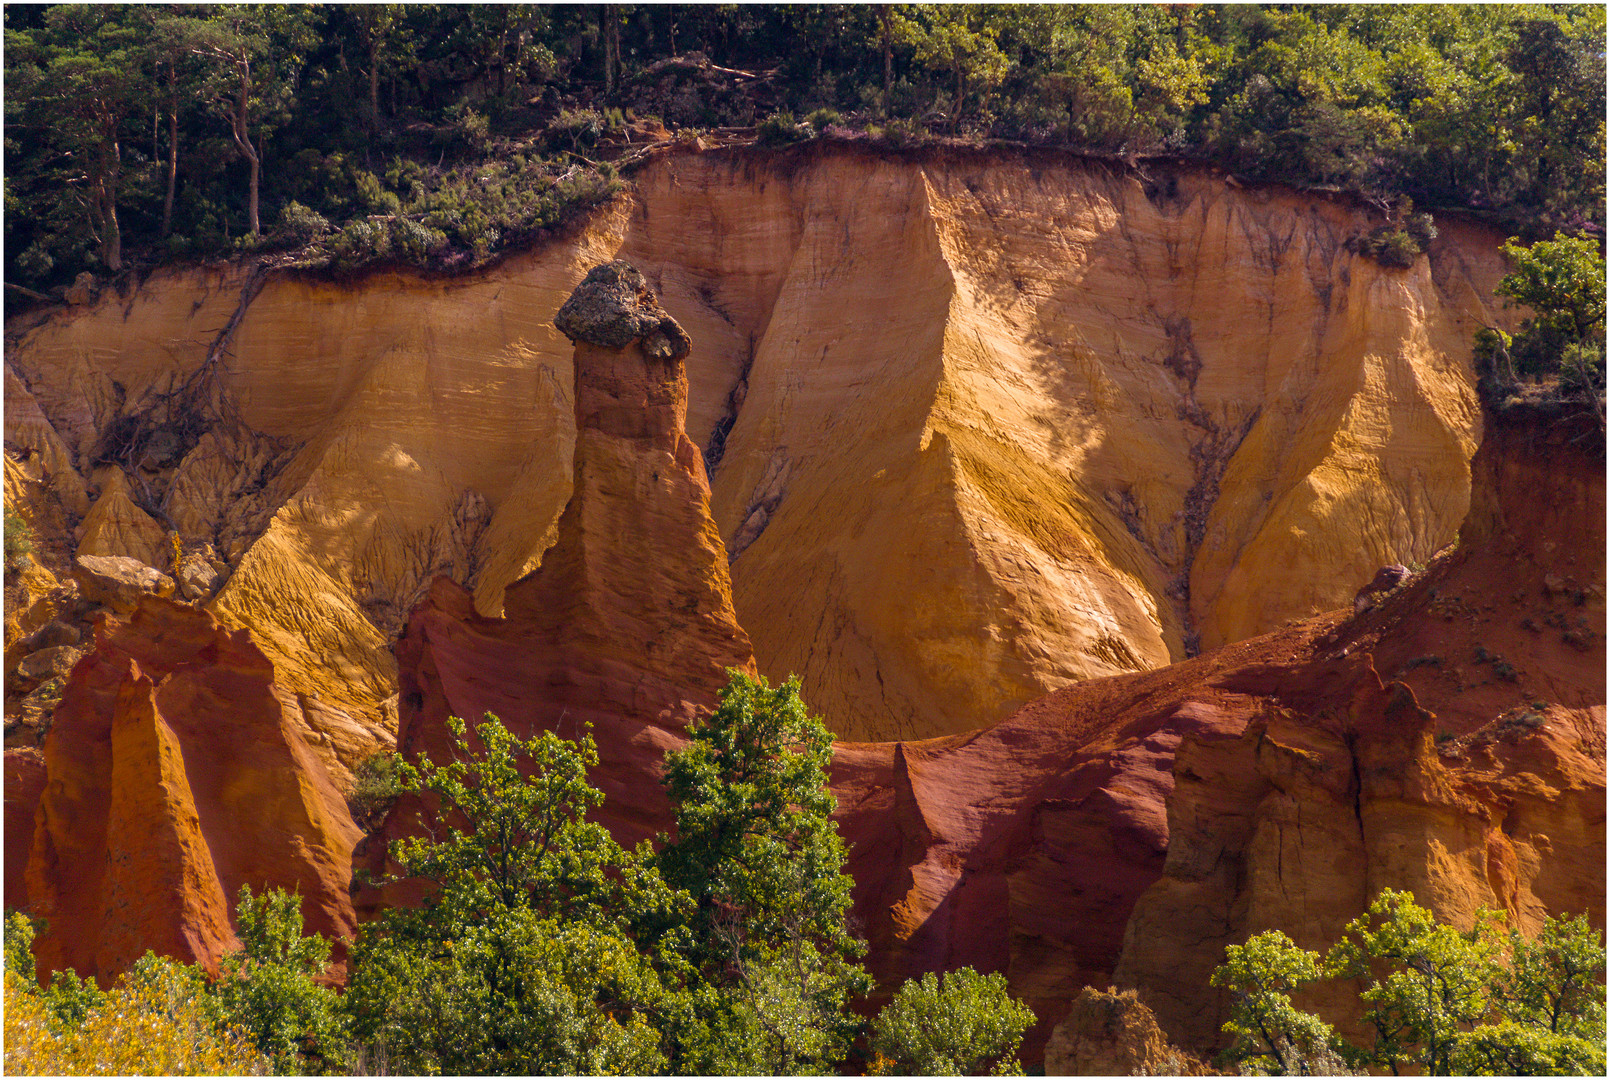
(627, 627)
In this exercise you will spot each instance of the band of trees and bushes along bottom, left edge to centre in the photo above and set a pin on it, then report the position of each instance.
(543, 947)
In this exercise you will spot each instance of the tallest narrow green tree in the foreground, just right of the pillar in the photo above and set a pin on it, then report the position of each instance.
(758, 851)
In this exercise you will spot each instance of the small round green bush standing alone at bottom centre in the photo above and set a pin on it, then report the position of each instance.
(951, 1026)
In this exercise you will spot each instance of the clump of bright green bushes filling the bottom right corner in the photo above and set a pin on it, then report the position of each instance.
(1439, 1000)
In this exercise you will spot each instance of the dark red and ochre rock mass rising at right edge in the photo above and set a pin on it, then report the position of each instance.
(1450, 741)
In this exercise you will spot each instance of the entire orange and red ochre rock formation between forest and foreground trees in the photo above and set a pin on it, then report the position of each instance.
(886, 540)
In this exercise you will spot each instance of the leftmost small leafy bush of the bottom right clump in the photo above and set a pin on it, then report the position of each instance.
(1269, 1036)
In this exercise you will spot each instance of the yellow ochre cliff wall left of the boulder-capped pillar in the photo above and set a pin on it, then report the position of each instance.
(355, 445)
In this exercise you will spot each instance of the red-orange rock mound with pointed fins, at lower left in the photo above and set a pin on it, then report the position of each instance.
(173, 778)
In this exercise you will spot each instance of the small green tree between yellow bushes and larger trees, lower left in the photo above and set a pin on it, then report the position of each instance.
(268, 991)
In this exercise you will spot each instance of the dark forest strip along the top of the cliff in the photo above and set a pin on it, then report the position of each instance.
(439, 136)
